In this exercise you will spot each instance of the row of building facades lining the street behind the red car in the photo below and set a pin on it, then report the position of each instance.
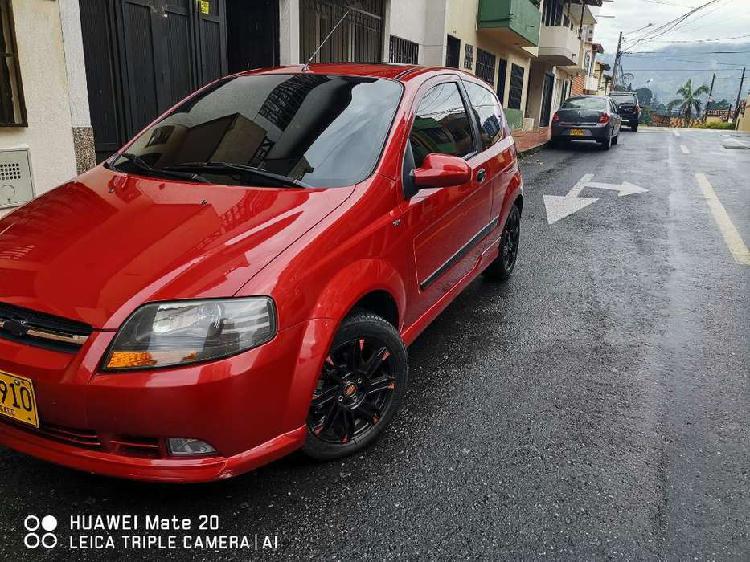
(85, 77)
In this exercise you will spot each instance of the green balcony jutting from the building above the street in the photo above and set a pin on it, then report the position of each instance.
(514, 21)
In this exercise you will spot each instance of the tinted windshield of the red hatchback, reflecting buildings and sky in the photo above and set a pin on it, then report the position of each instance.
(320, 131)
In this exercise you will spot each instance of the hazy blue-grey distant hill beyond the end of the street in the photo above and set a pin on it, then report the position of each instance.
(683, 62)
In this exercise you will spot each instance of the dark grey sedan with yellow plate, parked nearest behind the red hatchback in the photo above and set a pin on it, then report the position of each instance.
(587, 118)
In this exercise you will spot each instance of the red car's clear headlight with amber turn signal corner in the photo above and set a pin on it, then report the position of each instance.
(179, 333)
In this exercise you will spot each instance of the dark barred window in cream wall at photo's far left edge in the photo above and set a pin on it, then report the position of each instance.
(12, 106)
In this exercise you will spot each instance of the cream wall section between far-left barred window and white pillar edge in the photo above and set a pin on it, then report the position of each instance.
(49, 135)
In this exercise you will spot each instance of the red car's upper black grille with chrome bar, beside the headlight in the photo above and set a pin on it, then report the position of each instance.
(42, 330)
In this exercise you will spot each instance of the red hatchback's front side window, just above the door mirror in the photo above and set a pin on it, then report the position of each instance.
(441, 124)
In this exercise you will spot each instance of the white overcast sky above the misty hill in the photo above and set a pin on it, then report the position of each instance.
(725, 18)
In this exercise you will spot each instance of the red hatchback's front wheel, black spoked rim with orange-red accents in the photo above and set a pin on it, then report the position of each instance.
(361, 387)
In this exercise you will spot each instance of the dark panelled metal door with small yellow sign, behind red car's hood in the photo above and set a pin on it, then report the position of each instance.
(142, 56)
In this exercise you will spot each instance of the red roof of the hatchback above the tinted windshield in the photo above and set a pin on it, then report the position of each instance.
(399, 72)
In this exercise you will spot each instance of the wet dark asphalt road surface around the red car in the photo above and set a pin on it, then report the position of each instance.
(595, 406)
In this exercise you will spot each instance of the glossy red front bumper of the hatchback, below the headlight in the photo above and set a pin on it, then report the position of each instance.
(251, 408)
